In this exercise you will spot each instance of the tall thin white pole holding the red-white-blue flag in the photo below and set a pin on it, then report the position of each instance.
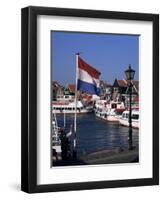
(75, 116)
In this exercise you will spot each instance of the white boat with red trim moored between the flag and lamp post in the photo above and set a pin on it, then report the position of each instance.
(109, 110)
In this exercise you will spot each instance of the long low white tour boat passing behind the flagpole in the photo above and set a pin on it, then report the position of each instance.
(69, 107)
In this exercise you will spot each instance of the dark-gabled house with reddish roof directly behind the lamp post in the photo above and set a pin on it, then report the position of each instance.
(120, 90)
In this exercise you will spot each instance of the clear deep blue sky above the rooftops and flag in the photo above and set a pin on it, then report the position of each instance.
(109, 53)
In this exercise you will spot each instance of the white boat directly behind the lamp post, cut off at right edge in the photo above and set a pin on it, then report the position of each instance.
(125, 117)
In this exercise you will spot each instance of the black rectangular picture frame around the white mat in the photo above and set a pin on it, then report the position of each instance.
(29, 99)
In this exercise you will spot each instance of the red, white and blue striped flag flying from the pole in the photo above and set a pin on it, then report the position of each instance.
(88, 78)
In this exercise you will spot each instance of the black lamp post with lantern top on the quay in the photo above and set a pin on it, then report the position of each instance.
(130, 76)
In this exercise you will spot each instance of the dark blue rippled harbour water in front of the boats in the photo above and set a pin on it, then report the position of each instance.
(94, 134)
